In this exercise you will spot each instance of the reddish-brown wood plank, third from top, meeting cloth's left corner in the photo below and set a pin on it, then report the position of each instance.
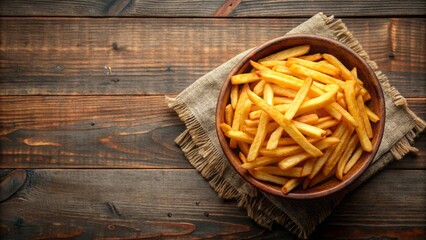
(106, 131)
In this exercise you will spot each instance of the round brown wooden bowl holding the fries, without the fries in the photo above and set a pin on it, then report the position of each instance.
(318, 45)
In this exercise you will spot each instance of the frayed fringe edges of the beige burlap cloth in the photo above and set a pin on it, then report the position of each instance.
(200, 152)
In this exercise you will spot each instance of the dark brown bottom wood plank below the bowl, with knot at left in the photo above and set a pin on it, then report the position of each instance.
(179, 204)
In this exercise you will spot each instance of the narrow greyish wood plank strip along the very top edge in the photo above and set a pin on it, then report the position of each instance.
(204, 8)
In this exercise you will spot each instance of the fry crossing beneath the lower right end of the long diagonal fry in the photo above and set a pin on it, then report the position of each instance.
(295, 159)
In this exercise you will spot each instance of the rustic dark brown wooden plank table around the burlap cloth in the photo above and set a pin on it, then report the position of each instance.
(82, 110)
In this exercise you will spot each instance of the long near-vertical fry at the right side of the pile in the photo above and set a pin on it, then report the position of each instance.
(349, 90)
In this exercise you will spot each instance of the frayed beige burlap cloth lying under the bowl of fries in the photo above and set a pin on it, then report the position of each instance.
(196, 108)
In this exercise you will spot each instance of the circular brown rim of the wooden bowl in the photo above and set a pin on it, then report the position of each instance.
(297, 195)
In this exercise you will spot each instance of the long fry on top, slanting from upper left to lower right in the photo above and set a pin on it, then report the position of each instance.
(289, 127)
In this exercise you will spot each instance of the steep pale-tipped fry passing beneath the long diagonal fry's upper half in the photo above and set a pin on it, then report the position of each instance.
(263, 124)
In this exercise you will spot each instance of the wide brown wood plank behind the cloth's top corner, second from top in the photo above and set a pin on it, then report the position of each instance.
(162, 56)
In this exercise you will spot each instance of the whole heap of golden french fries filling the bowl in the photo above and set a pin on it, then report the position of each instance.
(298, 119)
